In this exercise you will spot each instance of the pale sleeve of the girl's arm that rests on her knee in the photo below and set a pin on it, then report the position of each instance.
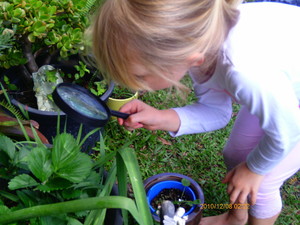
(271, 97)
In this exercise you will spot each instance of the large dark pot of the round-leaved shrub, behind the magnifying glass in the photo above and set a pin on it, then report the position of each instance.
(48, 120)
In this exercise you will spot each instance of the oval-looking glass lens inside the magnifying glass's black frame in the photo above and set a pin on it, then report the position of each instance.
(82, 103)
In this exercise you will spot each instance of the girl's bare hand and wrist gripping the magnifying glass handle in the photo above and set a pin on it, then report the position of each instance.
(143, 115)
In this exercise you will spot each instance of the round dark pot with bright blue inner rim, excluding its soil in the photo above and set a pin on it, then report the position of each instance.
(153, 185)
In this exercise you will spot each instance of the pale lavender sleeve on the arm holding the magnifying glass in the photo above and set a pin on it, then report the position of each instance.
(211, 111)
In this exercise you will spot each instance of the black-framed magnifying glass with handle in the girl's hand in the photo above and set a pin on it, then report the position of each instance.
(80, 104)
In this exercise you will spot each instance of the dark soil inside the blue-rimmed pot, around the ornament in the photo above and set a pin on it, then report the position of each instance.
(174, 195)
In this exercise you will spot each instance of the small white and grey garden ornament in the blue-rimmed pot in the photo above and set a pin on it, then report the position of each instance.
(169, 216)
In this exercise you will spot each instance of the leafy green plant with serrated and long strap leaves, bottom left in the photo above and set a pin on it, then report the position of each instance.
(50, 184)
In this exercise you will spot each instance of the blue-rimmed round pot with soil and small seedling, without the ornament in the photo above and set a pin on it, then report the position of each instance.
(181, 190)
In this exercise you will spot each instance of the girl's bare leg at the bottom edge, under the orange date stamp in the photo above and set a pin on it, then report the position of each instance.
(232, 217)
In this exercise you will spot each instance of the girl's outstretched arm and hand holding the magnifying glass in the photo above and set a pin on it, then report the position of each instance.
(212, 111)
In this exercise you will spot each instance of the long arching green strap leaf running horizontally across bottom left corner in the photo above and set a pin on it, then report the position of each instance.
(71, 206)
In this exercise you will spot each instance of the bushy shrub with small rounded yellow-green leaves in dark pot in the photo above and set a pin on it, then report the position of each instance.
(37, 33)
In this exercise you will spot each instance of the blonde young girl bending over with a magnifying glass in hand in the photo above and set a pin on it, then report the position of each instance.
(249, 53)
